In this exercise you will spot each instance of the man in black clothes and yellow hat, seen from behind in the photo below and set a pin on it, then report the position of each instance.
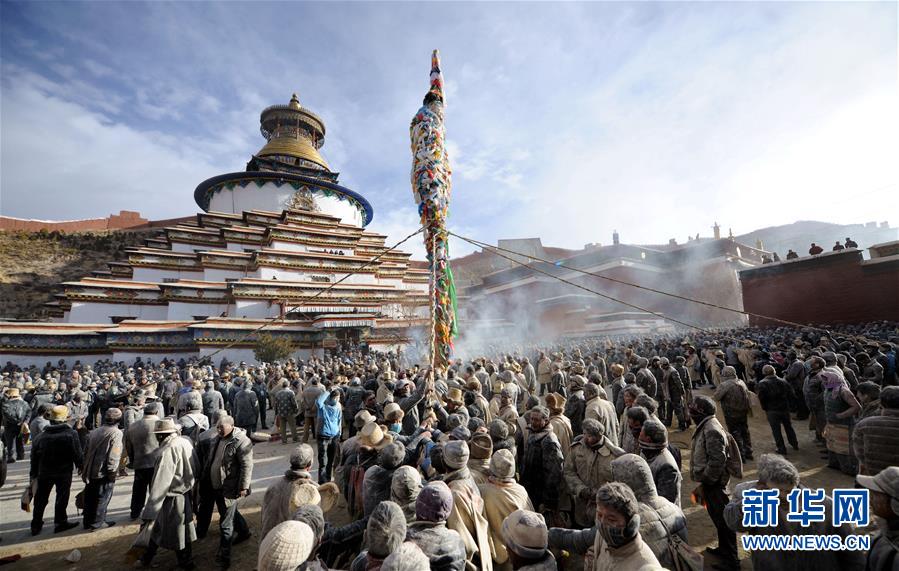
(53, 457)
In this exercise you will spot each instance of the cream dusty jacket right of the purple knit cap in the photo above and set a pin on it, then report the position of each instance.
(467, 517)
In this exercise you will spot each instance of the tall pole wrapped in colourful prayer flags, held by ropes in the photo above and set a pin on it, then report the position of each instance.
(431, 187)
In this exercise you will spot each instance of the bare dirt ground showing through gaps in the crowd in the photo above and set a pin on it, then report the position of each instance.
(105, 549)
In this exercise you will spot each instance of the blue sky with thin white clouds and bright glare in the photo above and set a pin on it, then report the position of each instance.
(565, 120)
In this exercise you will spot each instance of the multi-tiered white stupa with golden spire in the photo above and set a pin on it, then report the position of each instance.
(269, 243)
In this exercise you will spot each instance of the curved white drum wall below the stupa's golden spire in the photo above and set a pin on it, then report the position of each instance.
(270, 197)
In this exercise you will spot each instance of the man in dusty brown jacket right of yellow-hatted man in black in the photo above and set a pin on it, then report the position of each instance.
(101, 464)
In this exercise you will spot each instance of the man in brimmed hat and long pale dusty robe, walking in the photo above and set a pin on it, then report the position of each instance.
(168, 506)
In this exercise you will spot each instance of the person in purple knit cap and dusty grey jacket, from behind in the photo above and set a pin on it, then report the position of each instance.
(443, 546)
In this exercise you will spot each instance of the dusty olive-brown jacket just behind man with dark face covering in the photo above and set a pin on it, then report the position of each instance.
(588, 468)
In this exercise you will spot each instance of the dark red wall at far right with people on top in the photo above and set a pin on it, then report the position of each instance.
(826, 289)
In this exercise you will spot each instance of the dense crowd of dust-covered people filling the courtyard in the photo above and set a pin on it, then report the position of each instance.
(525, 457)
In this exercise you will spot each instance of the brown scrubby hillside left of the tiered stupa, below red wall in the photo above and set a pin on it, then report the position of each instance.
(32, 264)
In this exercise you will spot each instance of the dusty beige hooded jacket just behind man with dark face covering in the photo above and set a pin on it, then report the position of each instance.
(658, 516)
